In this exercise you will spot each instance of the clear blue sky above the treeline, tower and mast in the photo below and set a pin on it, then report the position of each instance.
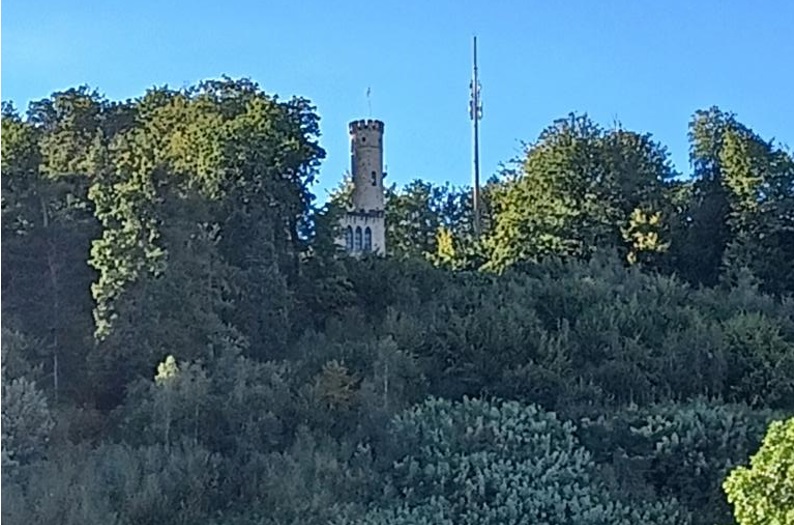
(648, 64)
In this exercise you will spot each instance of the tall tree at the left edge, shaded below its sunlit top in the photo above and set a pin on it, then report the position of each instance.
(47, 227)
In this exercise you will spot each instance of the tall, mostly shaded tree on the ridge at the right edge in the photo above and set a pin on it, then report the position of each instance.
(739, 211)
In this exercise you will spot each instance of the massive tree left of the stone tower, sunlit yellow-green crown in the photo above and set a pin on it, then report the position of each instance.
(201, 203)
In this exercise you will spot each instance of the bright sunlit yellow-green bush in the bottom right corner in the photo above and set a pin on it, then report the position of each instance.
(764, 493)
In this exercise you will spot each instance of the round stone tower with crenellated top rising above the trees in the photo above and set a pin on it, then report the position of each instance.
(364, 224)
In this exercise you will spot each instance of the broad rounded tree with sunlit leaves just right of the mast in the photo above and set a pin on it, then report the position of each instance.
(580, 189)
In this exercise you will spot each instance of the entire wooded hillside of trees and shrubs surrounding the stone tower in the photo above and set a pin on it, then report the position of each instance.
(183, 341)
